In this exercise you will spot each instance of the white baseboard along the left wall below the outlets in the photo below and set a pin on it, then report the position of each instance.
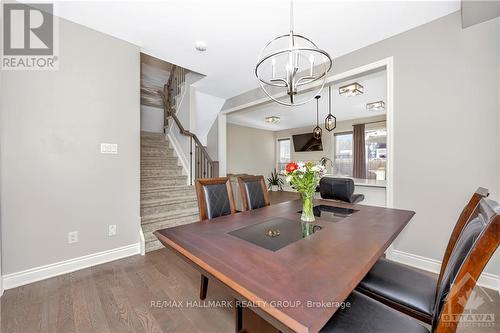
(44, 272)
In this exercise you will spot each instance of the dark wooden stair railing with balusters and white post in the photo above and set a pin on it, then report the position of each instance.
(204, 166)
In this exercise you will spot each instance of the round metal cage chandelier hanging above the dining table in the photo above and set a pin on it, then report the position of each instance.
(287, 64)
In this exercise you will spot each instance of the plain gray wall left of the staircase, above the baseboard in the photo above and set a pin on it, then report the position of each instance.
(54, 179)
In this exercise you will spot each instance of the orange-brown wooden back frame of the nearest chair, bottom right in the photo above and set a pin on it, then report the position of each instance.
(481, 252)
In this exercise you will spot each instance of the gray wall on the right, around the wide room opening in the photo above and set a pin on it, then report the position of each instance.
(446, 122)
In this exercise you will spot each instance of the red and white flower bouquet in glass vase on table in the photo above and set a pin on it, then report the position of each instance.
(304, 178)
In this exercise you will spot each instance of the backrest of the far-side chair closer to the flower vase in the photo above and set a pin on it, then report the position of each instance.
(253, 192)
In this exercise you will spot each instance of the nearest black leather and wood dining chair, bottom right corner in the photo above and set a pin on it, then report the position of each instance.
(473, 249)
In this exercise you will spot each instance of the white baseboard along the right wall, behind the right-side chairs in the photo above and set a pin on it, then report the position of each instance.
(487, 280)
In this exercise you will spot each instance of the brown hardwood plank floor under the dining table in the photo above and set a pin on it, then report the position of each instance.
(133, 295)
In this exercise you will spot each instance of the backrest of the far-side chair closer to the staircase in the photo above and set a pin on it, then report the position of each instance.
(215, 197)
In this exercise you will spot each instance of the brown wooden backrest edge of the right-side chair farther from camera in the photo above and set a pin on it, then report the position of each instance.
(465, 217)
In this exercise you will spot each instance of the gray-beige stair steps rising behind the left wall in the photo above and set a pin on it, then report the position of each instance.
(166, 200)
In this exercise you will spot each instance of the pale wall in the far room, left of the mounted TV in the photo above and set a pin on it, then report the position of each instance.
(249, 150)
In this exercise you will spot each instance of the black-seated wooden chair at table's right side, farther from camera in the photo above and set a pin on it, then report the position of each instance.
(407, 289)
